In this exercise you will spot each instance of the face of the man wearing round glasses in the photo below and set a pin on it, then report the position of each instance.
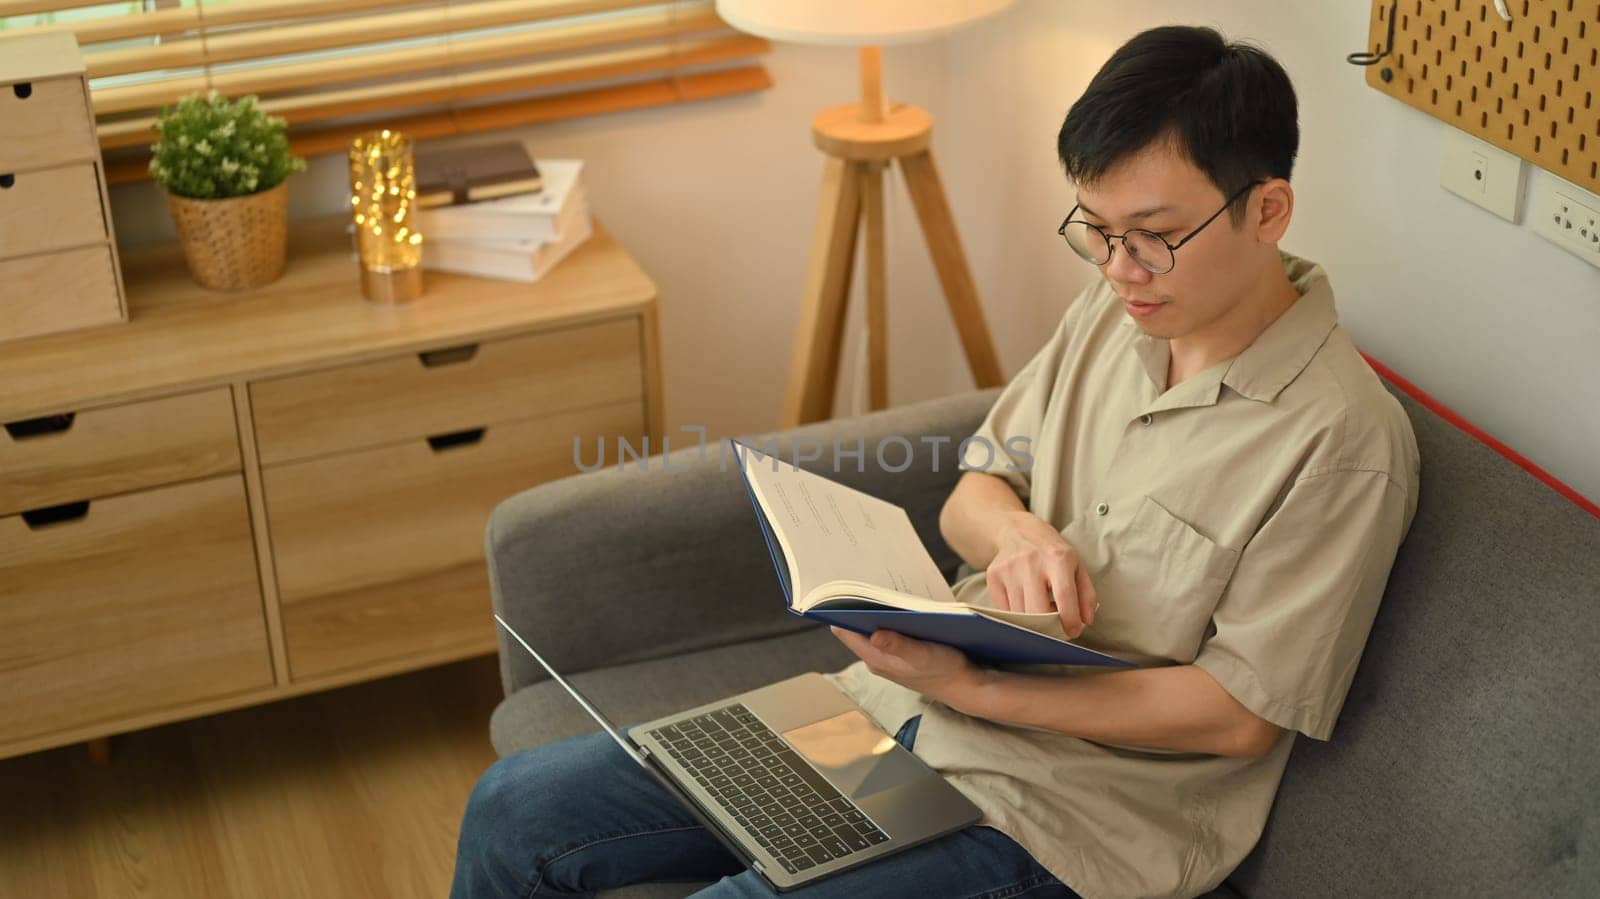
(1164, 193)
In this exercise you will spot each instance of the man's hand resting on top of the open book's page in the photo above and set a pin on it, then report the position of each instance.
(1036, 570)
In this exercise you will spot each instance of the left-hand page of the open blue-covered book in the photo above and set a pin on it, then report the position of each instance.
(836, 533)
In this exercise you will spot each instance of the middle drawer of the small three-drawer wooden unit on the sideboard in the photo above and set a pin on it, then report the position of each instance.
(50, 209)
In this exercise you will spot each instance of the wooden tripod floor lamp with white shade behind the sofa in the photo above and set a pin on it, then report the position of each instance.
(862, 142)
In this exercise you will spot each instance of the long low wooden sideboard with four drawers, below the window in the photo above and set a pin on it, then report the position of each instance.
(238, 498)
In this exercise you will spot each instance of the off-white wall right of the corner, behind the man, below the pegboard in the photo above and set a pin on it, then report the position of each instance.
(1481, 313)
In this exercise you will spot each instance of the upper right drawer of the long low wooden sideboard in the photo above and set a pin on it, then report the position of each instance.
(407, 398)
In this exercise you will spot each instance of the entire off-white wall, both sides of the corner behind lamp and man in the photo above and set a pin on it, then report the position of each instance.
(718, 202)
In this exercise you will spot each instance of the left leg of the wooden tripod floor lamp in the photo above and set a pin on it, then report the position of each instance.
(814, 367)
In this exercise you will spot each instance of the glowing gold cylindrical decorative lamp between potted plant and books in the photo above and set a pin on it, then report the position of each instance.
(383, 194)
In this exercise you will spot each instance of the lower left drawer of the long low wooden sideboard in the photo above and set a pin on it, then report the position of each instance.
(142, 602)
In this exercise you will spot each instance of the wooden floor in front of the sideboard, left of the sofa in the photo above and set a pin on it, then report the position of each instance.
(346, 794)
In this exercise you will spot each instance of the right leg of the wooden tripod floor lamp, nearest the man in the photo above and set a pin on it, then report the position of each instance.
(945, 246)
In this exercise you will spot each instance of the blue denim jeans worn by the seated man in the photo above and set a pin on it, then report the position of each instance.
(578, 817)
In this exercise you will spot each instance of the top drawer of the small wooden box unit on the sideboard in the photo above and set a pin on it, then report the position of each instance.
(47, 122)
